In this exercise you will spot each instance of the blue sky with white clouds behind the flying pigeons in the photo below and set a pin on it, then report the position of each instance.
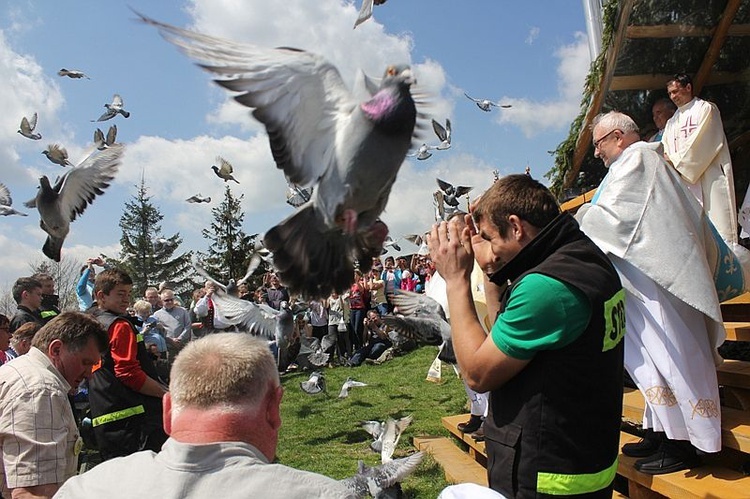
(533, 55)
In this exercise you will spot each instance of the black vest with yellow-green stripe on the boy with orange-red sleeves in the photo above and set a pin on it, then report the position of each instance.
(125, 421)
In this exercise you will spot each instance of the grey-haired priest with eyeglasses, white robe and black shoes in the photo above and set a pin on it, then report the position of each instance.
(662, 244)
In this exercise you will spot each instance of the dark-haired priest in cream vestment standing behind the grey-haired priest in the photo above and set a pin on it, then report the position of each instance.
(695, 145)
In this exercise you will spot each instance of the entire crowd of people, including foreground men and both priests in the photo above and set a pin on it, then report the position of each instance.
(574, 302)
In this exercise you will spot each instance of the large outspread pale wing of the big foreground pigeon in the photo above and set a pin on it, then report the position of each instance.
(299, 96)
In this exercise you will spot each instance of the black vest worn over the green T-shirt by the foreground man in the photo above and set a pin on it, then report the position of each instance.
(561, 414)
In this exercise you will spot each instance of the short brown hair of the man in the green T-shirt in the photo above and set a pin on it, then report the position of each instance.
(518, 195)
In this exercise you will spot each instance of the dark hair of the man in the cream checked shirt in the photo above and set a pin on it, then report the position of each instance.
(74, 329)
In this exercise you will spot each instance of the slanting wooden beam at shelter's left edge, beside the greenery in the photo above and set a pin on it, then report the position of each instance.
(584, 136)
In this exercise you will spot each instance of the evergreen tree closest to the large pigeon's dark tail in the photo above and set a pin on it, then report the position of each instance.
(229, 247)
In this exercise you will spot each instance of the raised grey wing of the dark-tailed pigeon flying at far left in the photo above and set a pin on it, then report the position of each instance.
(79, 186)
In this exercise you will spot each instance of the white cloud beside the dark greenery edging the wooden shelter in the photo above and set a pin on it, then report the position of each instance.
(556, 114)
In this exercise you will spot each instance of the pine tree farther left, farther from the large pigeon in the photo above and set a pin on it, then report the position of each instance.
(147, 264)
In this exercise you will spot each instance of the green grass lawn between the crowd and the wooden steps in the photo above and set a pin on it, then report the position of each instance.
(321, 433)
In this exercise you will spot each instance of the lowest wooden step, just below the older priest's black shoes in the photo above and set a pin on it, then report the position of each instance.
(710, 480)
